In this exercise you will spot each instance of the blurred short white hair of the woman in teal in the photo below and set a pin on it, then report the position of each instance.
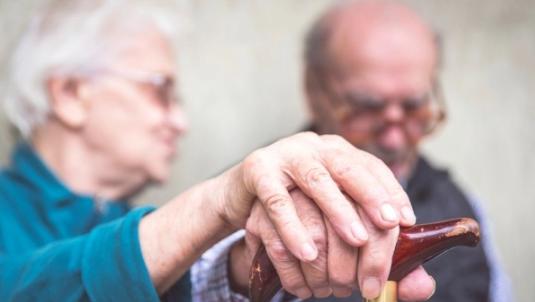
(67, 37)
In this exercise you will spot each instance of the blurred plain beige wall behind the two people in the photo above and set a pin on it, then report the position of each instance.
(240, 76)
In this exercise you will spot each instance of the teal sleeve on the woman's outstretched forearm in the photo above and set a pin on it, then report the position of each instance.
(104, 265)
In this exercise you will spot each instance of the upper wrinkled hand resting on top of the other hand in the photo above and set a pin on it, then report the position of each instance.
(323, 167)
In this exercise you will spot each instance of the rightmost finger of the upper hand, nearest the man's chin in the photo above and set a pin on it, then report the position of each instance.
(398, 197)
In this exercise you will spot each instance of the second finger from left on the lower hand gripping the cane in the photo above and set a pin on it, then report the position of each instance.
(315, 272)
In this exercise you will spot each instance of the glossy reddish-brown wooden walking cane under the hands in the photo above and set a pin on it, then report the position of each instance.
(416, 245)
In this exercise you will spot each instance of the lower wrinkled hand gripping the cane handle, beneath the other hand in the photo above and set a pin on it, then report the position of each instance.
(339, 268)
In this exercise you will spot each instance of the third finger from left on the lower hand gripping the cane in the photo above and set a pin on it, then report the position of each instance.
(342, 264)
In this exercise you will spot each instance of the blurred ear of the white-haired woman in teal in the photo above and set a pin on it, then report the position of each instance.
(66, 101)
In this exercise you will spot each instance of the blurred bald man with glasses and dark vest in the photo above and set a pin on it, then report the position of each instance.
(372, 77)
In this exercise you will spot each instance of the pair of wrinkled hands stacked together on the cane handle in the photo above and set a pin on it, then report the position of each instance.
(328, 214)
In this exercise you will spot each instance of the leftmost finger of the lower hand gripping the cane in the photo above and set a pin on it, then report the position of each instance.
(286, 265)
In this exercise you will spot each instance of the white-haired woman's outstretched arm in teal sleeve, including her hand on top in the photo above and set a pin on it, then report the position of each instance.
(140, 256)
